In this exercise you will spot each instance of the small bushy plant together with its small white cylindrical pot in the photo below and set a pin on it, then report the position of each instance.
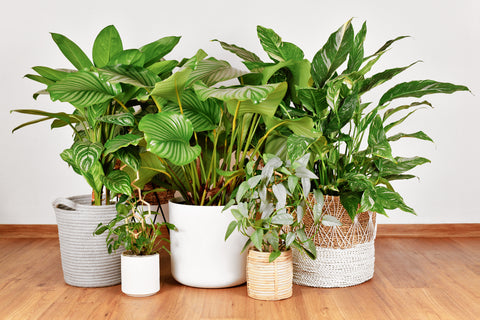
(134, 230)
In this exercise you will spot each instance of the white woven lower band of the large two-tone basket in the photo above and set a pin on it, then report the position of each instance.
(335, 267)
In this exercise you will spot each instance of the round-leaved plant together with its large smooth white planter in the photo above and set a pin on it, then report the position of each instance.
(203, 137)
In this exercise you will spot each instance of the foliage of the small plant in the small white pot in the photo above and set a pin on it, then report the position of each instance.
(134, 228)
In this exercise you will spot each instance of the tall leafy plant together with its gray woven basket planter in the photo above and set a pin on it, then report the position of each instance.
(107, 94)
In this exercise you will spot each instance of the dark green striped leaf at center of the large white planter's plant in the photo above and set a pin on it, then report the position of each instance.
(204, 115)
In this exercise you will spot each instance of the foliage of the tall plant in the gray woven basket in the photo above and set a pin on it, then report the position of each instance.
(103, 92)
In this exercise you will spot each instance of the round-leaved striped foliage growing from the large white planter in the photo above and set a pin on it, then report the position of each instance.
(204, 135)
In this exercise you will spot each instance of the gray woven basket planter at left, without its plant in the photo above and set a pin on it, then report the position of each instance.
(85, 259)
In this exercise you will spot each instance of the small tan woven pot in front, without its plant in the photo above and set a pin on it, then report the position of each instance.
(269, 280)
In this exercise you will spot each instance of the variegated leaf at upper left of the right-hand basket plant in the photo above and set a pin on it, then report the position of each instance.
(275, 48)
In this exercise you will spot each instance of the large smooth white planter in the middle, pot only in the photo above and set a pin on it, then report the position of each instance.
(200, 255)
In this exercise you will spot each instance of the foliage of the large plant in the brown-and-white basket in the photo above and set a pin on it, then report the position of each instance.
(350, 140)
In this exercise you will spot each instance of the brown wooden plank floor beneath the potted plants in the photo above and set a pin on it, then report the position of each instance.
(415, 278)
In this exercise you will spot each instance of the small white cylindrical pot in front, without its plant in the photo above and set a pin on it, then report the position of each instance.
(140, 275)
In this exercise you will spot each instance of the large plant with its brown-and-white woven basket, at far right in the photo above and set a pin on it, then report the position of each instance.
(350, 141)
